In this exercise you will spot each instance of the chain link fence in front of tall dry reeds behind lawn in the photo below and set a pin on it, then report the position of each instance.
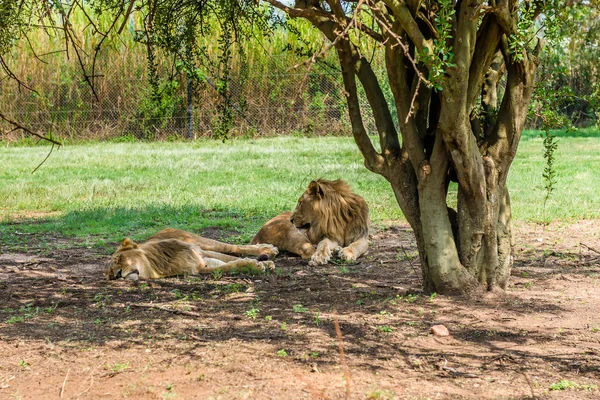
(280, 102)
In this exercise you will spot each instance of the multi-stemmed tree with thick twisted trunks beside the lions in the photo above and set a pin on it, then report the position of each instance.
(444, 61)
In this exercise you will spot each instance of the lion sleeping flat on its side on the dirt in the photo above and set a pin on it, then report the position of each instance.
(173, 252)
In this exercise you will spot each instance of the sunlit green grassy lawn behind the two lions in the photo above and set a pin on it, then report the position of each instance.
(98, 193)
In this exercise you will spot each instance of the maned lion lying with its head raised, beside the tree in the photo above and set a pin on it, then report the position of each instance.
(328, 215)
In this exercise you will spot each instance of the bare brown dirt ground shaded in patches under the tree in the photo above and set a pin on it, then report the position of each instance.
(66, 333)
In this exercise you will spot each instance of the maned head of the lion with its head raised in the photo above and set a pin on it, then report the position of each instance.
(331, 209)
